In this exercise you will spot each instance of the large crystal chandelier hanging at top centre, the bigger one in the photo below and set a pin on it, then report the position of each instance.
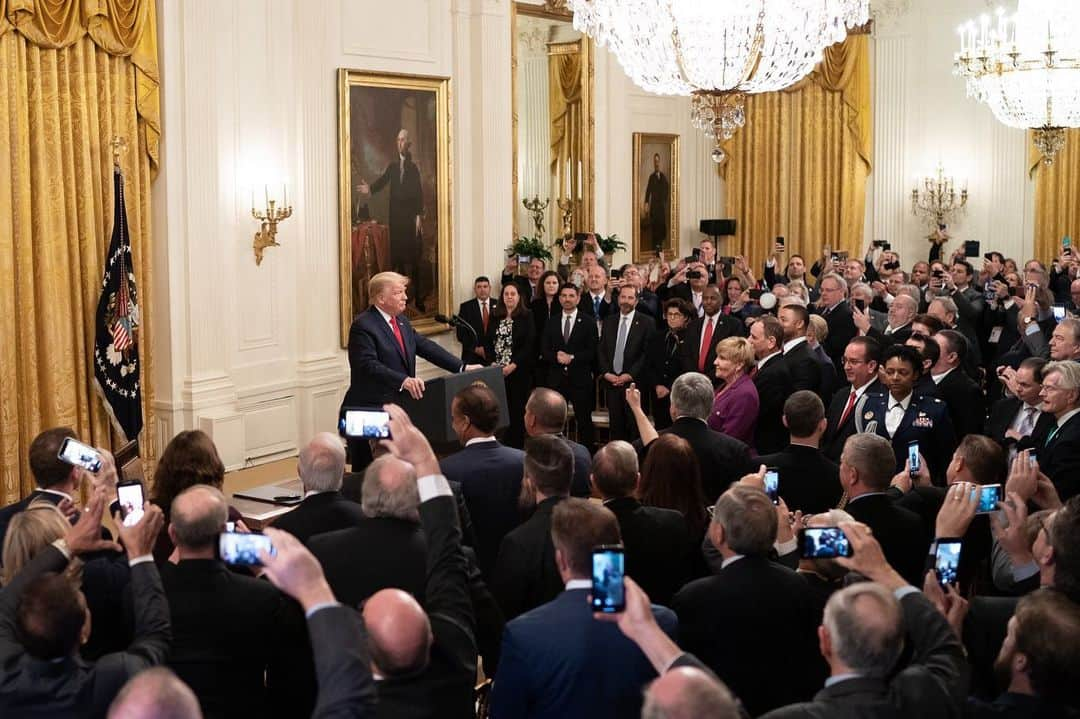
(718, 51)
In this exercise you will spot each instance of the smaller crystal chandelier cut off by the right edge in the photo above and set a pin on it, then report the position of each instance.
(1028, 69)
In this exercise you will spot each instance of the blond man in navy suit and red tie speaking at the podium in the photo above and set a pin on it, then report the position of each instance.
(383, 351)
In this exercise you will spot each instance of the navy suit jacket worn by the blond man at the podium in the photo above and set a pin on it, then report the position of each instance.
(376, 363)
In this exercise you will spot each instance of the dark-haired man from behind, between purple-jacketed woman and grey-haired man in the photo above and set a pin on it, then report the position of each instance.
(808, 481)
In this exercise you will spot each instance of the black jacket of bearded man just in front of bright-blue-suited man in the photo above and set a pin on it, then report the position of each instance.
(525, 575)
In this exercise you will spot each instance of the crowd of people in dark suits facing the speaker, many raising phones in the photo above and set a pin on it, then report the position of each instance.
(885, 402)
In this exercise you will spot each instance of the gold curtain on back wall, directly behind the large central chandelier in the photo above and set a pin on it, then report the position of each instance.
(800, 167)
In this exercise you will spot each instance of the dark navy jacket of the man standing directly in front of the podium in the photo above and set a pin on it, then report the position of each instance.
(491, 478)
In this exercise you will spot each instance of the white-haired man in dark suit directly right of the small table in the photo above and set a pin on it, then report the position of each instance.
(321, 468)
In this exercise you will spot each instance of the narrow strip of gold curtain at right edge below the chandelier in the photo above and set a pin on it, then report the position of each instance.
(1057, 198)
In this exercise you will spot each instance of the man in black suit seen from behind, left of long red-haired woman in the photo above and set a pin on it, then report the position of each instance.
(657, 541)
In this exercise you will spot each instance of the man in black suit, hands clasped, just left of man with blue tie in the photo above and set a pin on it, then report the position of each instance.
(570, 349)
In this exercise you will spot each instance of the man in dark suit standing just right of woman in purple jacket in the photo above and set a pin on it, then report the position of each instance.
(773, 379)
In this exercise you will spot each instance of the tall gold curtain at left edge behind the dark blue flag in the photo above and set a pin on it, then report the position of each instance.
(74, 74)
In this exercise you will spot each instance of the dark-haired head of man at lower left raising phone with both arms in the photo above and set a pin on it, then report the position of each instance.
(50, 617)
